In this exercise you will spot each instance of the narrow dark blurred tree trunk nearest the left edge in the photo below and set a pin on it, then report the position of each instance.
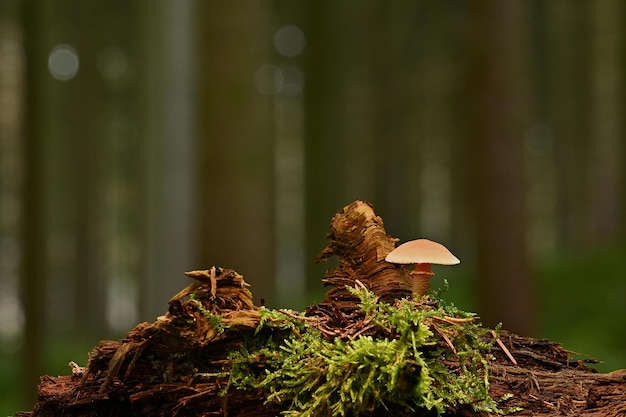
(33, 209)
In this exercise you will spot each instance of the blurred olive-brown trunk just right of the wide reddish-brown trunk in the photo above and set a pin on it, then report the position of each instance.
(567, 89)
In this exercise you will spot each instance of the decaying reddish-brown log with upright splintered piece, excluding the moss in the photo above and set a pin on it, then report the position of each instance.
(179, 364)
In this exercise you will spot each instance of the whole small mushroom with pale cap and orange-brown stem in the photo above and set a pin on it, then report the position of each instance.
(422, 253)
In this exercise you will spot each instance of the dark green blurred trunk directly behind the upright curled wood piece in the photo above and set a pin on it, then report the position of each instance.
(325, 126)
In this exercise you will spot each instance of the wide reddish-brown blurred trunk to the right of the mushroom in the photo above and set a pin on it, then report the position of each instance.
(498, 109)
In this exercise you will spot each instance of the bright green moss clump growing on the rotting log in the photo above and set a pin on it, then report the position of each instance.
(408, 355)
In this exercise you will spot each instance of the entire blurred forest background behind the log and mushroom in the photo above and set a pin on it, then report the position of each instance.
(143, 139)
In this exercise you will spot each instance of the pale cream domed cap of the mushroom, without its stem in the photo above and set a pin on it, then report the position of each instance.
(422, 251)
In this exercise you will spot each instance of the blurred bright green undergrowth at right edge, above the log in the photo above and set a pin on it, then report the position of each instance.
(581, 303)
